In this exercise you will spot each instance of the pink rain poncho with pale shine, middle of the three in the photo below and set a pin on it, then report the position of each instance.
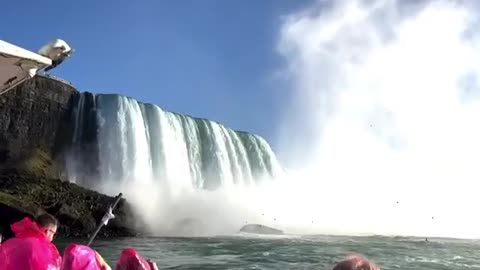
(80, 257)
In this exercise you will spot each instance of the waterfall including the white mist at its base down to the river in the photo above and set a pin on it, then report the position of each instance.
(171, 167)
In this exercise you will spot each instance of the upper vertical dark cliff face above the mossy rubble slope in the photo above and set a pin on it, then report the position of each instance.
(34, 115)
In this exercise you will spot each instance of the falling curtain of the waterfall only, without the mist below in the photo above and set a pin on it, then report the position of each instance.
(141, 143)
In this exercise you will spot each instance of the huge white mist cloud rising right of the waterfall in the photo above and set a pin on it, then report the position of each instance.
(388, 95)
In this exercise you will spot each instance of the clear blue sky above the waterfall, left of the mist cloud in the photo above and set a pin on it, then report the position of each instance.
(211, 58)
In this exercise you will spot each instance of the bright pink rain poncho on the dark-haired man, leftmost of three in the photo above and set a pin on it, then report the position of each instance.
(29, 250)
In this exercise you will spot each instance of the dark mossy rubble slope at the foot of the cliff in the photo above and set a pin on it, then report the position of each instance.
(78, 210)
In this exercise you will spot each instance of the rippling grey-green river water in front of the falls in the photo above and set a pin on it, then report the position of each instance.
(306, 252)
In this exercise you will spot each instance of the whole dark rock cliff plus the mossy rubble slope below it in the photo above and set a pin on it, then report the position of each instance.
(36, 138)
